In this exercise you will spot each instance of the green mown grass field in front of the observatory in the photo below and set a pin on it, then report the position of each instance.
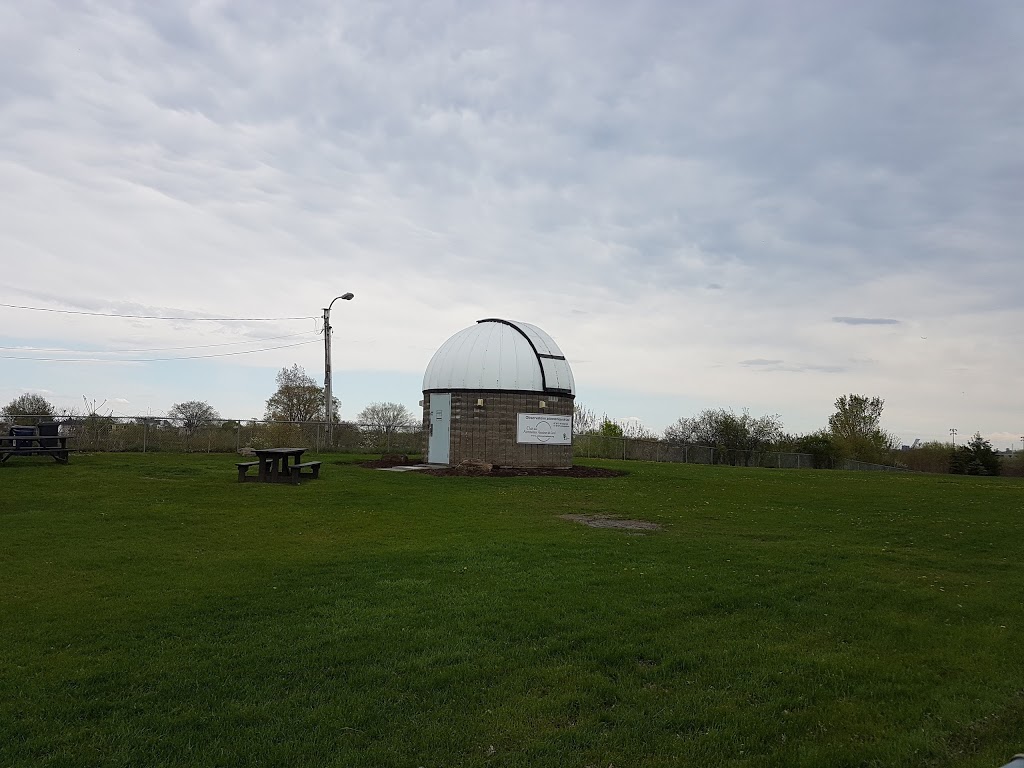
(153, 612)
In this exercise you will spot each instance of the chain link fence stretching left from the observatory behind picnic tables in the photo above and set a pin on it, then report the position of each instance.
(146, 435)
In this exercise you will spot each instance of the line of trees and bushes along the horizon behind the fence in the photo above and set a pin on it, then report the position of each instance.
(855, 430)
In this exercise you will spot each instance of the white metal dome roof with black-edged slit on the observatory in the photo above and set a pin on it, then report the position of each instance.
(500, 355)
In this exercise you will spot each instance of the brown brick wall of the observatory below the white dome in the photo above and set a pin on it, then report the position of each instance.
(489, 434)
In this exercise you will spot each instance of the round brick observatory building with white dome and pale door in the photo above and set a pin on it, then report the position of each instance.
(502, 393)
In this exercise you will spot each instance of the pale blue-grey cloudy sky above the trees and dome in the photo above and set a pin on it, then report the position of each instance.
(718, 204)
